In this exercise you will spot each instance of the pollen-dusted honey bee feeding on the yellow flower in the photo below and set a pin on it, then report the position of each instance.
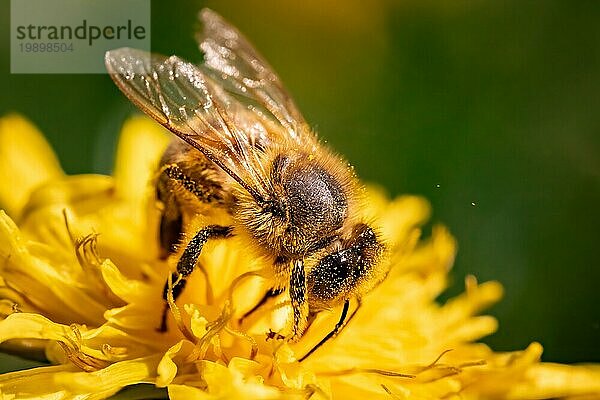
(243, 147)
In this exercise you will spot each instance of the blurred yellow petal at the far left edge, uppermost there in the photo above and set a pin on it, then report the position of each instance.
(26, 161)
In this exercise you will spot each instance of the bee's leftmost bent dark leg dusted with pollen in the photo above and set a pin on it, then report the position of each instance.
(187, 262)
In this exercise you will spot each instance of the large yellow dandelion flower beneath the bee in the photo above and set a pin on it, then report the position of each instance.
(82, 283)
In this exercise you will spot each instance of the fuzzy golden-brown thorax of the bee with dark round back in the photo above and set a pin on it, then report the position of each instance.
(307, 205)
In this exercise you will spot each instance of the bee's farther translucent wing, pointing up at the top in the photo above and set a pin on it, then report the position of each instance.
(232, 61)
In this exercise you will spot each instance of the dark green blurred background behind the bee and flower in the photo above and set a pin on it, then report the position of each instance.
(491, 110)
